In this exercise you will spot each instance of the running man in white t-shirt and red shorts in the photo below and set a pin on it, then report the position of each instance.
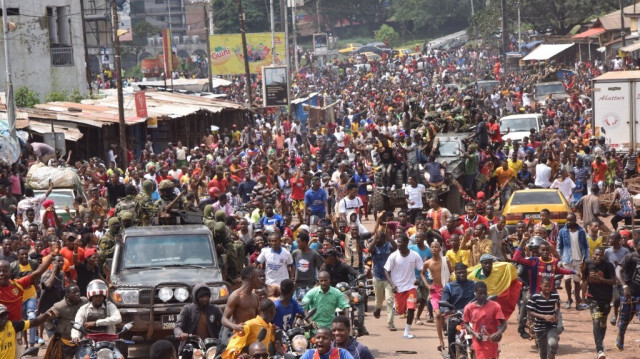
(400, 273)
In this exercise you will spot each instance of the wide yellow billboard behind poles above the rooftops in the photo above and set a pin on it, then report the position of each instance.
(227, 57)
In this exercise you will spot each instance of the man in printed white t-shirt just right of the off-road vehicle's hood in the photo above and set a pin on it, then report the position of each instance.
(276, 260)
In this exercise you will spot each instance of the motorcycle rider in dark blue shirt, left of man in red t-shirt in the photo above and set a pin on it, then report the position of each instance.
(459, 293)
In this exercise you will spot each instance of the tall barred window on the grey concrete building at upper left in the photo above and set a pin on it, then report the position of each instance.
(58, 22)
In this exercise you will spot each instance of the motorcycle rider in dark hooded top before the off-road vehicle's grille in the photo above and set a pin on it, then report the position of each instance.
(199, 318)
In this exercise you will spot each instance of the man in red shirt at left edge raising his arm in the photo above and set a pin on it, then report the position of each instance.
(11, 291)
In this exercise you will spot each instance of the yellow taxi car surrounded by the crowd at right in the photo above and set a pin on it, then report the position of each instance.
(527, 204)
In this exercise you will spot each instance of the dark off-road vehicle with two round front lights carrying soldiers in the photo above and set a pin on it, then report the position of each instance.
(153, 273)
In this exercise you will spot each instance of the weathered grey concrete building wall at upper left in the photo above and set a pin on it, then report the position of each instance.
(31, 43)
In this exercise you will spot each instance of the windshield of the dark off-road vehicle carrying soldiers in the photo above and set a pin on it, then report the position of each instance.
(162, 251)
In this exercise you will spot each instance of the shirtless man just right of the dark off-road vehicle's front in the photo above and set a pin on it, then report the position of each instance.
(242, 306)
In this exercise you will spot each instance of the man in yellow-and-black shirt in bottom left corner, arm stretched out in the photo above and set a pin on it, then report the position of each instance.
(9, 328)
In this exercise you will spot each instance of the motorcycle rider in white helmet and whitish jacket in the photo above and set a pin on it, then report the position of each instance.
(97, 316)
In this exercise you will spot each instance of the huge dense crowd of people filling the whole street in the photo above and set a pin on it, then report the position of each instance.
(289, 206)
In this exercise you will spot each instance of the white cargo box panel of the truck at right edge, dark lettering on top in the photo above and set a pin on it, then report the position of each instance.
(611, 112)
